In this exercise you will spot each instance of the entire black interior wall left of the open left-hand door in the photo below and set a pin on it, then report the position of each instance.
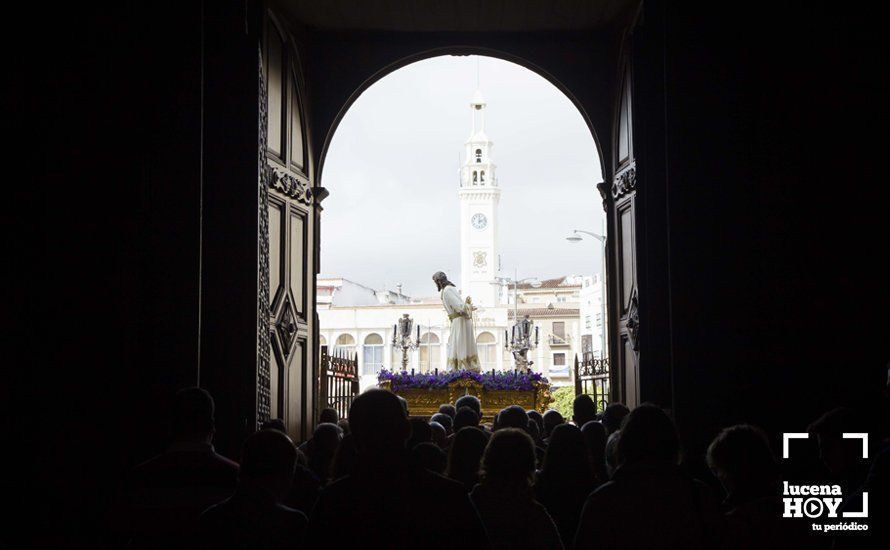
(124, 192)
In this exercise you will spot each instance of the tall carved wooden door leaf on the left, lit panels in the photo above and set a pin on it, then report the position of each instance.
(290, 380)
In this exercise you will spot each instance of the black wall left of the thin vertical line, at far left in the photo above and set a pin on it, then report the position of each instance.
(108, 107)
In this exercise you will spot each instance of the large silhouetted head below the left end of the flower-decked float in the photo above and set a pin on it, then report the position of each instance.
(378, 423)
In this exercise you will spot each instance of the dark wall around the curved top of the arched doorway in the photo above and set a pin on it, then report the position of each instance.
(342, 64)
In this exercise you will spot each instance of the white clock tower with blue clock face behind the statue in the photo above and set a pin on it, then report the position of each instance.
(479, 195)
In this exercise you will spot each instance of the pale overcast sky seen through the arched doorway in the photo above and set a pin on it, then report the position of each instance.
(393, 213)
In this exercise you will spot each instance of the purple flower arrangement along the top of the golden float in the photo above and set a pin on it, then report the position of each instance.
(491, 380)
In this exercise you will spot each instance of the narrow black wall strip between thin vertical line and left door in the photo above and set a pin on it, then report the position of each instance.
(229, 217)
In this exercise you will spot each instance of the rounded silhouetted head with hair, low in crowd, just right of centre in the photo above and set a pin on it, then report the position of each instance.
(509, 459)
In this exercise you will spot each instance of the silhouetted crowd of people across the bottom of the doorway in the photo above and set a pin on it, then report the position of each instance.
(385, 479)
